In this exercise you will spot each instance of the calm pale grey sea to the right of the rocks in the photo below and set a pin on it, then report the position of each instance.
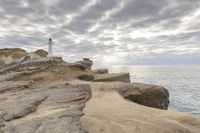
(182, 81)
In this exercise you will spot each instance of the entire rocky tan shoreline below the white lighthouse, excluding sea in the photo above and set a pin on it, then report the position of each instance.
(48, 95)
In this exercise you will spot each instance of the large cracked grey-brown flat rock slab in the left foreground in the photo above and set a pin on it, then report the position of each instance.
(54, 109)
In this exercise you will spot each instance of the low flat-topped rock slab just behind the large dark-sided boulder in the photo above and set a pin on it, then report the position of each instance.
(122, 77)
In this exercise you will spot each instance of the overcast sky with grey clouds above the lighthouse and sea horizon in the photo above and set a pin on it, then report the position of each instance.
(110, 32)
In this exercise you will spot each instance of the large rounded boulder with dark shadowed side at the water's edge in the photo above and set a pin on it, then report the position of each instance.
(146, 94)
